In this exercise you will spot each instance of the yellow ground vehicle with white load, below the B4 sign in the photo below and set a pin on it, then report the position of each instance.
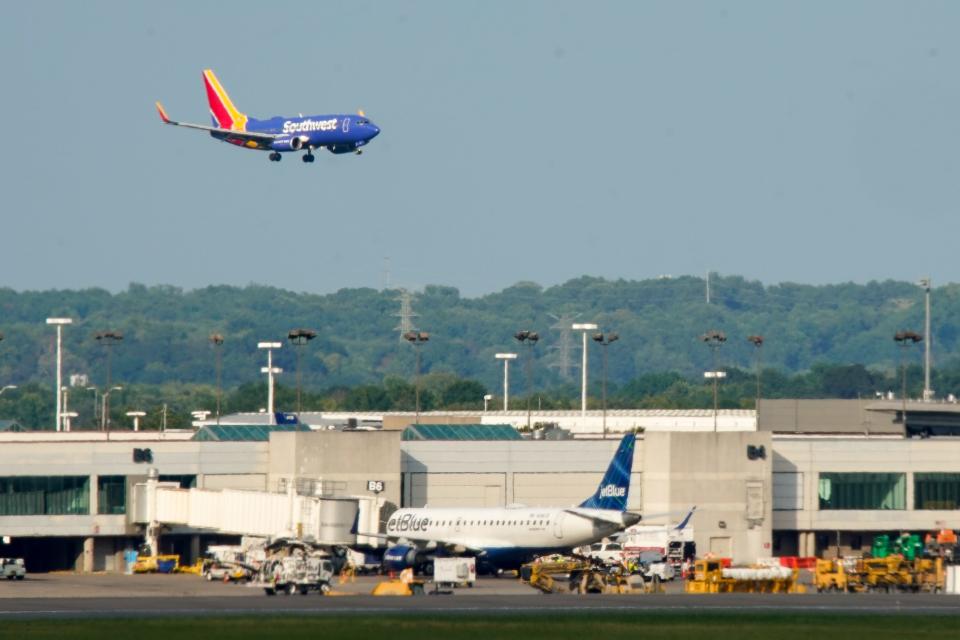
(710, 576)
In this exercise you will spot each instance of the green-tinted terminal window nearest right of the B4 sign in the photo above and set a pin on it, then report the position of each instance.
(863, 491)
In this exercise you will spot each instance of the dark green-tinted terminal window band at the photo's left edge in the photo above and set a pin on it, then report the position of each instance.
(44, 495)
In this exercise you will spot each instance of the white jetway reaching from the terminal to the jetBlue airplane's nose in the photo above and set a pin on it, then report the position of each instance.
(322, 519)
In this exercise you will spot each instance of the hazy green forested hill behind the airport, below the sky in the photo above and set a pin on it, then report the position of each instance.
(166, 329)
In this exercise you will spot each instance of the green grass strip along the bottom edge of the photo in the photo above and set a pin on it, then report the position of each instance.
(547, 626)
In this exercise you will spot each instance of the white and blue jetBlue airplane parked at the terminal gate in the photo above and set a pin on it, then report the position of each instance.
(507, 537)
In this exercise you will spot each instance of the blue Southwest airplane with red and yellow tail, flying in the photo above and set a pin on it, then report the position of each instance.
(337, 133)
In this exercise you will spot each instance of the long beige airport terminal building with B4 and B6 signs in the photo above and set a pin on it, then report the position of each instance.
(801, 477)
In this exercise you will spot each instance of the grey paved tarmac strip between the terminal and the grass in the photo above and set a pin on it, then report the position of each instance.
(111, 596)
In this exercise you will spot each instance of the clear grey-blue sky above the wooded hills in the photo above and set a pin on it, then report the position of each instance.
(813, 142)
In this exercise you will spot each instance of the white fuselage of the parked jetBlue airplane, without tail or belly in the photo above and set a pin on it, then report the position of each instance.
(481, 528)
